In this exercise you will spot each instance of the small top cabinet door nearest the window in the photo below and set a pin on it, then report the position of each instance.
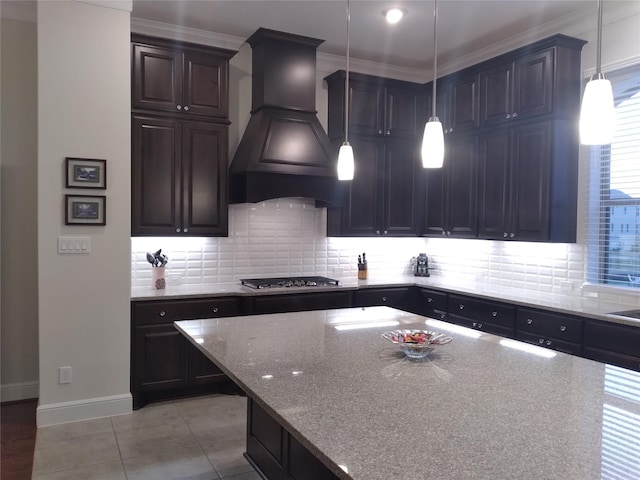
(533, 84)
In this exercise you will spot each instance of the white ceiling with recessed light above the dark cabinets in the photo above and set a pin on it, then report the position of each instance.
(464, 26)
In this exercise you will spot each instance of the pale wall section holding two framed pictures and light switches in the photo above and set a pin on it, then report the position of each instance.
(84, 111)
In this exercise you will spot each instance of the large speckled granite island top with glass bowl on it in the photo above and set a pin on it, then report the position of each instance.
(475, 409)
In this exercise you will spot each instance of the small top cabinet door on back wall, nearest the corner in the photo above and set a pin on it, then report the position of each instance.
(402, 113)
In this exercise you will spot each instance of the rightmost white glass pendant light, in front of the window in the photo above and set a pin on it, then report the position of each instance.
(597, 114)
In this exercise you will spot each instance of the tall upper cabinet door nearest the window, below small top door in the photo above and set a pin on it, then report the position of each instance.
(530, 182)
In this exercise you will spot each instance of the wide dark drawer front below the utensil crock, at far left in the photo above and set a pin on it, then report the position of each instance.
(156, 312)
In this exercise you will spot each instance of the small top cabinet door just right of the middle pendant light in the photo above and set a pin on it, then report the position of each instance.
(464, 103)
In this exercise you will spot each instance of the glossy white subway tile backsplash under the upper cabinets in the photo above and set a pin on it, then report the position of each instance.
(288, 237)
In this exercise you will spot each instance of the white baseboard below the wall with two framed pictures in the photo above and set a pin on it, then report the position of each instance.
(88, 409)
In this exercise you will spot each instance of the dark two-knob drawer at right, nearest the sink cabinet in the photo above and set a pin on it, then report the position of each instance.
(547, 324)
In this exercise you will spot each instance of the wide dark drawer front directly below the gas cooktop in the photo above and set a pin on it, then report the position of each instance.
(299, 302)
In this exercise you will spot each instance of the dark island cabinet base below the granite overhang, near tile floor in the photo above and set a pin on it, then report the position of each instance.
(276, 454)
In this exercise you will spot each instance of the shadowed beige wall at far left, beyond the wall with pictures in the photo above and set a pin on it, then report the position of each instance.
(19, 317)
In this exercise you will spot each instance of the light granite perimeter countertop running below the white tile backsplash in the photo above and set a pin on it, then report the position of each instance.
(570, 303)
